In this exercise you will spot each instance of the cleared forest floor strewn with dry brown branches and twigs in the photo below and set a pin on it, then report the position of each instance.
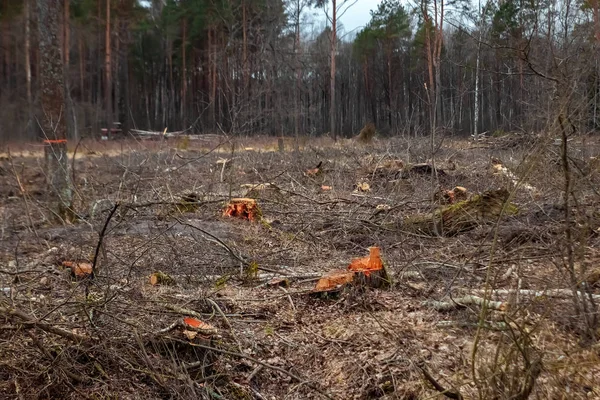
(118, 336)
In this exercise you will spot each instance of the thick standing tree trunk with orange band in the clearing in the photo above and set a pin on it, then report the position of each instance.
(53, 106)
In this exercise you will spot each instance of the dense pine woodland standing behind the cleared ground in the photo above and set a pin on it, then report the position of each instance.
(264, 66)
